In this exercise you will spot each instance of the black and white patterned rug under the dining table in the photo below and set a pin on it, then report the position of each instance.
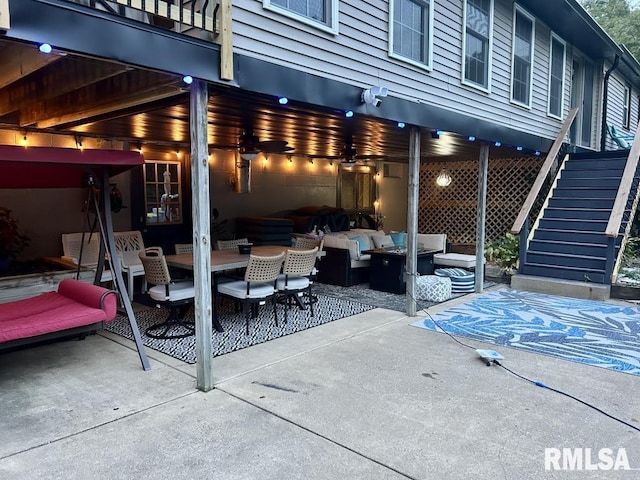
(234, 337)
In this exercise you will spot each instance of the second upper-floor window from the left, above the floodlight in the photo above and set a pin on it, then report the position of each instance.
(410, 31)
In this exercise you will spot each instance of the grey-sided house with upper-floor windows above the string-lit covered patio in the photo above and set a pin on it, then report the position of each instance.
(285, 80)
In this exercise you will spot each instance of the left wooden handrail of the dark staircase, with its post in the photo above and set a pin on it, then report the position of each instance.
(521, 223)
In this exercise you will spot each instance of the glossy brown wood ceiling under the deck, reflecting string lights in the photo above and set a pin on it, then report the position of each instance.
(74, 95)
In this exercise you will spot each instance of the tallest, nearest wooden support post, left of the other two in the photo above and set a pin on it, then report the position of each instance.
(201, 234)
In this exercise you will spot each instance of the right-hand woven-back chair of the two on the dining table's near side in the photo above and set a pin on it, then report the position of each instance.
(296, 278)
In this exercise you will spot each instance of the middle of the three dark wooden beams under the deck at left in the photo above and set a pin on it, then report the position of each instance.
(56, 79)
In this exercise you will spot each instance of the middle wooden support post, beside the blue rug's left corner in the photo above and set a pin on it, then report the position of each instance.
(412, 218)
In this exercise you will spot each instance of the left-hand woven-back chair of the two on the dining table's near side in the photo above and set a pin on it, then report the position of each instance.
(258, 285)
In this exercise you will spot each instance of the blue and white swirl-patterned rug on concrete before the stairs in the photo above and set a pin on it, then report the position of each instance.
(585, 331)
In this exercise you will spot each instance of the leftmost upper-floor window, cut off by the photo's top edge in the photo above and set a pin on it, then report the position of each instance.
(322, 14)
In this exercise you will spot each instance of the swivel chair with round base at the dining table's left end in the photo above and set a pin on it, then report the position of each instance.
(175, 295)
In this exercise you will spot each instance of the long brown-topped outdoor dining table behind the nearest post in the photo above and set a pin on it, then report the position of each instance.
(221, 261)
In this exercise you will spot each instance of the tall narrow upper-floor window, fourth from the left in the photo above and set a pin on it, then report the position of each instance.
(522, 61)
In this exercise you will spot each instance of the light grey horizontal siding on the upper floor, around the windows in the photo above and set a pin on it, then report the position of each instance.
(358, 56)
